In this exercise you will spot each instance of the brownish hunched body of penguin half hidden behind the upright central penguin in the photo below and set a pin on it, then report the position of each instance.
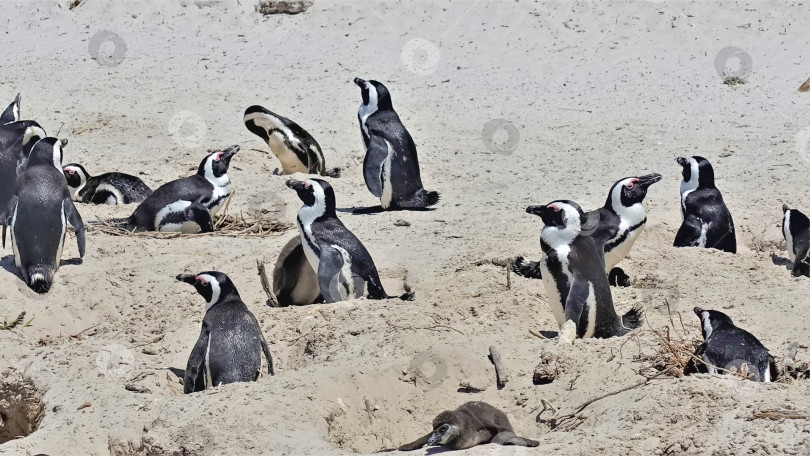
(295, 283)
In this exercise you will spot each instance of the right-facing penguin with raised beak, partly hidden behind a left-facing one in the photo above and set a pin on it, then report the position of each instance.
(621, 221)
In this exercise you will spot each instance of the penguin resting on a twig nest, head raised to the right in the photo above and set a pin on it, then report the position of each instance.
(188, 205)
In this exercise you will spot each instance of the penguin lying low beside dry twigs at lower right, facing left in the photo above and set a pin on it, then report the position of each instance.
(728, 348)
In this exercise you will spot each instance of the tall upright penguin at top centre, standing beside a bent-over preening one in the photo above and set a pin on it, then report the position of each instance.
(391, 167)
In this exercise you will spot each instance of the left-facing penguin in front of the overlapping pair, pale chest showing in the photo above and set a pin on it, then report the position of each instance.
(573, 270)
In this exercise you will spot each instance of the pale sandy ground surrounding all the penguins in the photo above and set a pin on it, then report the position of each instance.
(593, 91)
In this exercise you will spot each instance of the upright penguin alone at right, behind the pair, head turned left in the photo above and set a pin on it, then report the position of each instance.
(706, 219)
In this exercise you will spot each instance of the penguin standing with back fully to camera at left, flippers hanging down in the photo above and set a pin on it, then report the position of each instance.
(38, 215)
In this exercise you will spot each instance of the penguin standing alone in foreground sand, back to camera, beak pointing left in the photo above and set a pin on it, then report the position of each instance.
(230, 346)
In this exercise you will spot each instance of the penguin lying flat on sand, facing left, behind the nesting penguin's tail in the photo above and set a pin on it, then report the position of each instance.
(108, 188)
